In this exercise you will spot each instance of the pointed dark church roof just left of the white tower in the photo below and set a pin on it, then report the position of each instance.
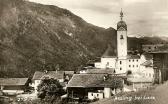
(109, 52)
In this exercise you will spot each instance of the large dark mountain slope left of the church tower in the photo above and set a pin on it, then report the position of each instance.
(37, 37)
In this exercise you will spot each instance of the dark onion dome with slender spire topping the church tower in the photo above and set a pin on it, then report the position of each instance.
(121, 24)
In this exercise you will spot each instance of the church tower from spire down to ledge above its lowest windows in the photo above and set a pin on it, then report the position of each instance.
(121, 38)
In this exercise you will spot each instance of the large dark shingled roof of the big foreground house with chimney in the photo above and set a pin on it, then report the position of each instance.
(95, 80)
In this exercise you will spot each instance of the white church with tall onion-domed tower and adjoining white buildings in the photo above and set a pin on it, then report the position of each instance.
(122, 63)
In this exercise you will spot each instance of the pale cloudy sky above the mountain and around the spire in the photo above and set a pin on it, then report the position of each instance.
(143, 17)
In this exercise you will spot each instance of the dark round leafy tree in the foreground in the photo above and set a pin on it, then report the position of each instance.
(49, 89)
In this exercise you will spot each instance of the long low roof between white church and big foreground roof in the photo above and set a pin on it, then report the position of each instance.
(100, 71)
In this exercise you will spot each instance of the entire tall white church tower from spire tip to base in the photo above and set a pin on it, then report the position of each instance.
(121, 46)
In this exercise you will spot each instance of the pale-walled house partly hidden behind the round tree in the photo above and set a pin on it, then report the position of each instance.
(61, 76)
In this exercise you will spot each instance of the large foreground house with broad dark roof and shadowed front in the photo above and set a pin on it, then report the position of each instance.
(94, 86)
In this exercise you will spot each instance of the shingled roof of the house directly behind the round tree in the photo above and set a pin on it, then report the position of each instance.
(50, 74)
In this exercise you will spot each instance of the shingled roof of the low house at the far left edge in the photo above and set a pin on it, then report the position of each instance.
(13, 81)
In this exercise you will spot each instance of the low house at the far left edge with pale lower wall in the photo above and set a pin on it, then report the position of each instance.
(13, 86)
